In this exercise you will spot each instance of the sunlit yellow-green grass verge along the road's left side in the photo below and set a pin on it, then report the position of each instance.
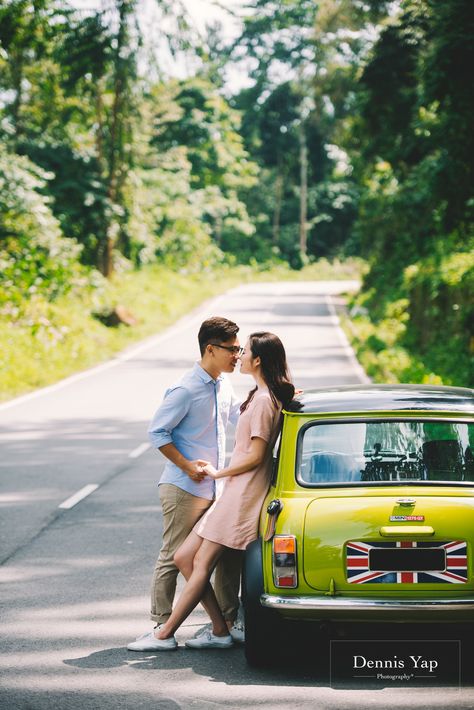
(51, 341)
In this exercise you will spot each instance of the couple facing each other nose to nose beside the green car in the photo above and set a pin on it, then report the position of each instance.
(189, 429)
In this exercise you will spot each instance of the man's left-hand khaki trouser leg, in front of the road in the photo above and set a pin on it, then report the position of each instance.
(181, 511)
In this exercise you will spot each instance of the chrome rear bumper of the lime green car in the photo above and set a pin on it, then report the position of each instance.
(350, 607)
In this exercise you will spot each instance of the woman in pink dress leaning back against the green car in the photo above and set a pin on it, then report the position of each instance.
(232, 519)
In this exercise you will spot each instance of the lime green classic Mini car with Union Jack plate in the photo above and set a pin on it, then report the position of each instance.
(370, 513)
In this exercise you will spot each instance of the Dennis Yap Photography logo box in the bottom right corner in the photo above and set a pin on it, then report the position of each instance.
(387, 663)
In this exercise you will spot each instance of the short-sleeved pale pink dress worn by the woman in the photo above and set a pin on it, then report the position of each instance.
(232, 520)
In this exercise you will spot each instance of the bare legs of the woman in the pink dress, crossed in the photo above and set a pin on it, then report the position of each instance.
(198, 588)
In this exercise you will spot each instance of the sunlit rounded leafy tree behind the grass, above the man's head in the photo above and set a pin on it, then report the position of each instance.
(198, 127)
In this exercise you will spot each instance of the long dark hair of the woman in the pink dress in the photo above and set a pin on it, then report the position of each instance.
(269, 348)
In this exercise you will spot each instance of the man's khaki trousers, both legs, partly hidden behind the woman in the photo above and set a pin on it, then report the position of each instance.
(181, 510)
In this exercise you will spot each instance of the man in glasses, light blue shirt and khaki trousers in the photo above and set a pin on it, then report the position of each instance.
(189, 430)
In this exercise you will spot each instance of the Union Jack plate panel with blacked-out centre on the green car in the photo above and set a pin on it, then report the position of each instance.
(404, 562)
